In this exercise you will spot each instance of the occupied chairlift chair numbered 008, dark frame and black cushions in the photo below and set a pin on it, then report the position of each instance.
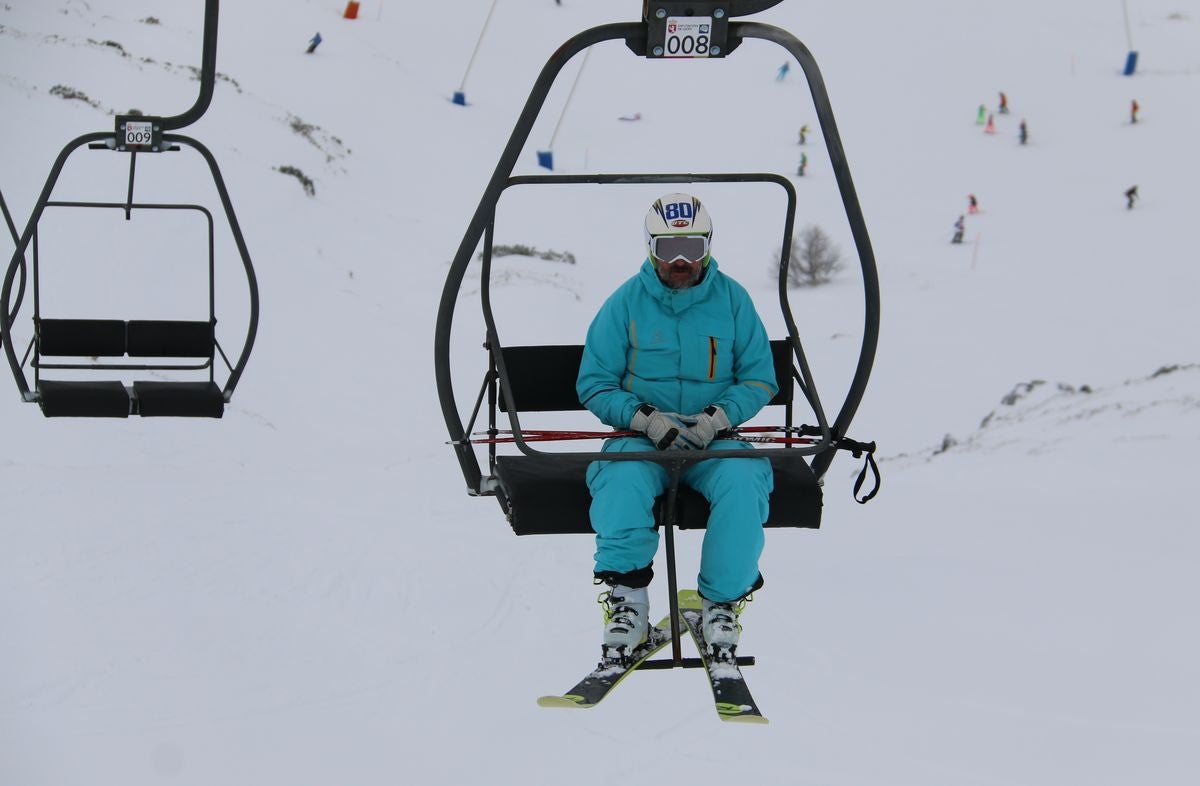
(543, 493)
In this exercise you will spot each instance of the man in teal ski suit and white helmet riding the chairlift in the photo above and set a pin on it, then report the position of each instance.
(680, 337)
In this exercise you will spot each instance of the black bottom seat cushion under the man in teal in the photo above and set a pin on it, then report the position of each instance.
(549, 496)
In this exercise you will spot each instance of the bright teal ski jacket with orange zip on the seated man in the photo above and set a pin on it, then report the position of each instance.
(677, 350)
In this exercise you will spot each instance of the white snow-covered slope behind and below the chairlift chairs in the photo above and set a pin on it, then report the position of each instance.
(302, 593)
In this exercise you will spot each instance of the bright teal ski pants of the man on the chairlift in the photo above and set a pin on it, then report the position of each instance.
(737, 490)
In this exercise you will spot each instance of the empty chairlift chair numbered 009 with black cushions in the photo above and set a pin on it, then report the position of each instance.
(131, 345)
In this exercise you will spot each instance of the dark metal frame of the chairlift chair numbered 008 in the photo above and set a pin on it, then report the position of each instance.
(647, 39)
